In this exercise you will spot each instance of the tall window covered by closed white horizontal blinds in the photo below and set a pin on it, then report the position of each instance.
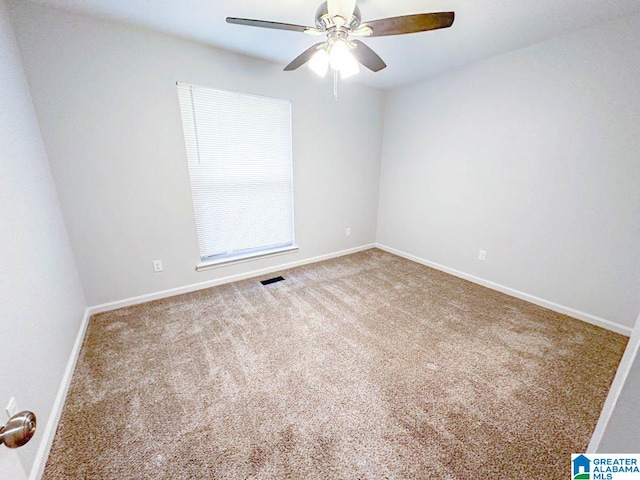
(241, 171)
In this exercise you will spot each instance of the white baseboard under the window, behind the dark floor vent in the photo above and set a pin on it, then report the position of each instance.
(106, 307)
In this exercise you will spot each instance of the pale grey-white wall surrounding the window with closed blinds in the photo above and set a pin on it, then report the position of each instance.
(106, 100)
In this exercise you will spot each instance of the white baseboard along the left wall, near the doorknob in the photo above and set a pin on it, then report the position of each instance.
(54, 417)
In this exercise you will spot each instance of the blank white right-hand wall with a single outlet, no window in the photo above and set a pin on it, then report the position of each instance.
(533, 156)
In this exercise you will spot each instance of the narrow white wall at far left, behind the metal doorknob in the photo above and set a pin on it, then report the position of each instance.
(41, 299)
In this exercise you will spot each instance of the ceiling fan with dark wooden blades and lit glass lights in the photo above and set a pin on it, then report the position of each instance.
(340, 20)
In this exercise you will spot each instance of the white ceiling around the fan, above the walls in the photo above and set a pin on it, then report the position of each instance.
(482, 28)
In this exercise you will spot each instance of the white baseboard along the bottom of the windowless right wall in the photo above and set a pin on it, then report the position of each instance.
(586, 317)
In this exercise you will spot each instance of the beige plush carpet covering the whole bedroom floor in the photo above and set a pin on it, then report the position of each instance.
(366, 366)
